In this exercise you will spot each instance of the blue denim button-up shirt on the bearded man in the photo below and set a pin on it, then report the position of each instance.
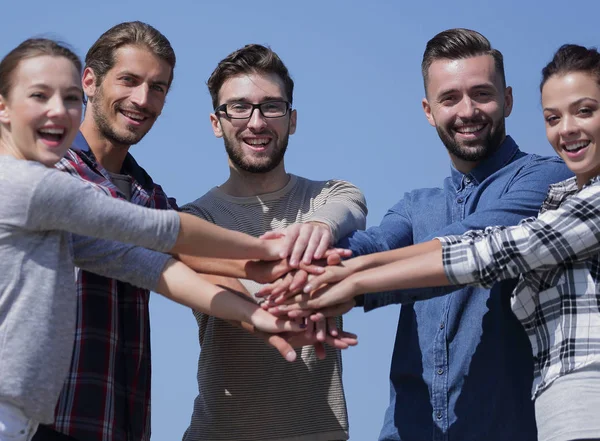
(462, 366)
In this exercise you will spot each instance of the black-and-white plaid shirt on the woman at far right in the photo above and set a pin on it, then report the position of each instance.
(557, 259)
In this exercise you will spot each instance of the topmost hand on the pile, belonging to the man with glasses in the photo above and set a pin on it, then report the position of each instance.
(303, 241)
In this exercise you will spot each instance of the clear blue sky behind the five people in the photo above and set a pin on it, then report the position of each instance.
(358, 93)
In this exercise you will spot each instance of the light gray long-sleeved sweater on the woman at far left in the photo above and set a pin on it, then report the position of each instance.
(41, 207)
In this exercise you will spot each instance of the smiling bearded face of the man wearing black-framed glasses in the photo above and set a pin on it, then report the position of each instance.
(256, 144)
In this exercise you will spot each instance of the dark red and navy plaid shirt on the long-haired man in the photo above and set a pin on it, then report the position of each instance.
(106, 396)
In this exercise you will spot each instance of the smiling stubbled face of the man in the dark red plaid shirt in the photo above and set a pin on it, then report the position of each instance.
(130, 97)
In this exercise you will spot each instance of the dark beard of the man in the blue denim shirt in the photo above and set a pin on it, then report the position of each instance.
(478, 150)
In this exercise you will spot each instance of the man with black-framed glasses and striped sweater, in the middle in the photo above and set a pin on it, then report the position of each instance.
(246, 391)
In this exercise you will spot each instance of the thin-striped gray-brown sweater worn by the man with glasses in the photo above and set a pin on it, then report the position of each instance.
(247, 391)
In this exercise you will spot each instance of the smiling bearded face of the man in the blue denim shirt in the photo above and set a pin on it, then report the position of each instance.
(467, 104)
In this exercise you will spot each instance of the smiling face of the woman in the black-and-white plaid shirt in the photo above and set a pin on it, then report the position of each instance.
(571, 104)
